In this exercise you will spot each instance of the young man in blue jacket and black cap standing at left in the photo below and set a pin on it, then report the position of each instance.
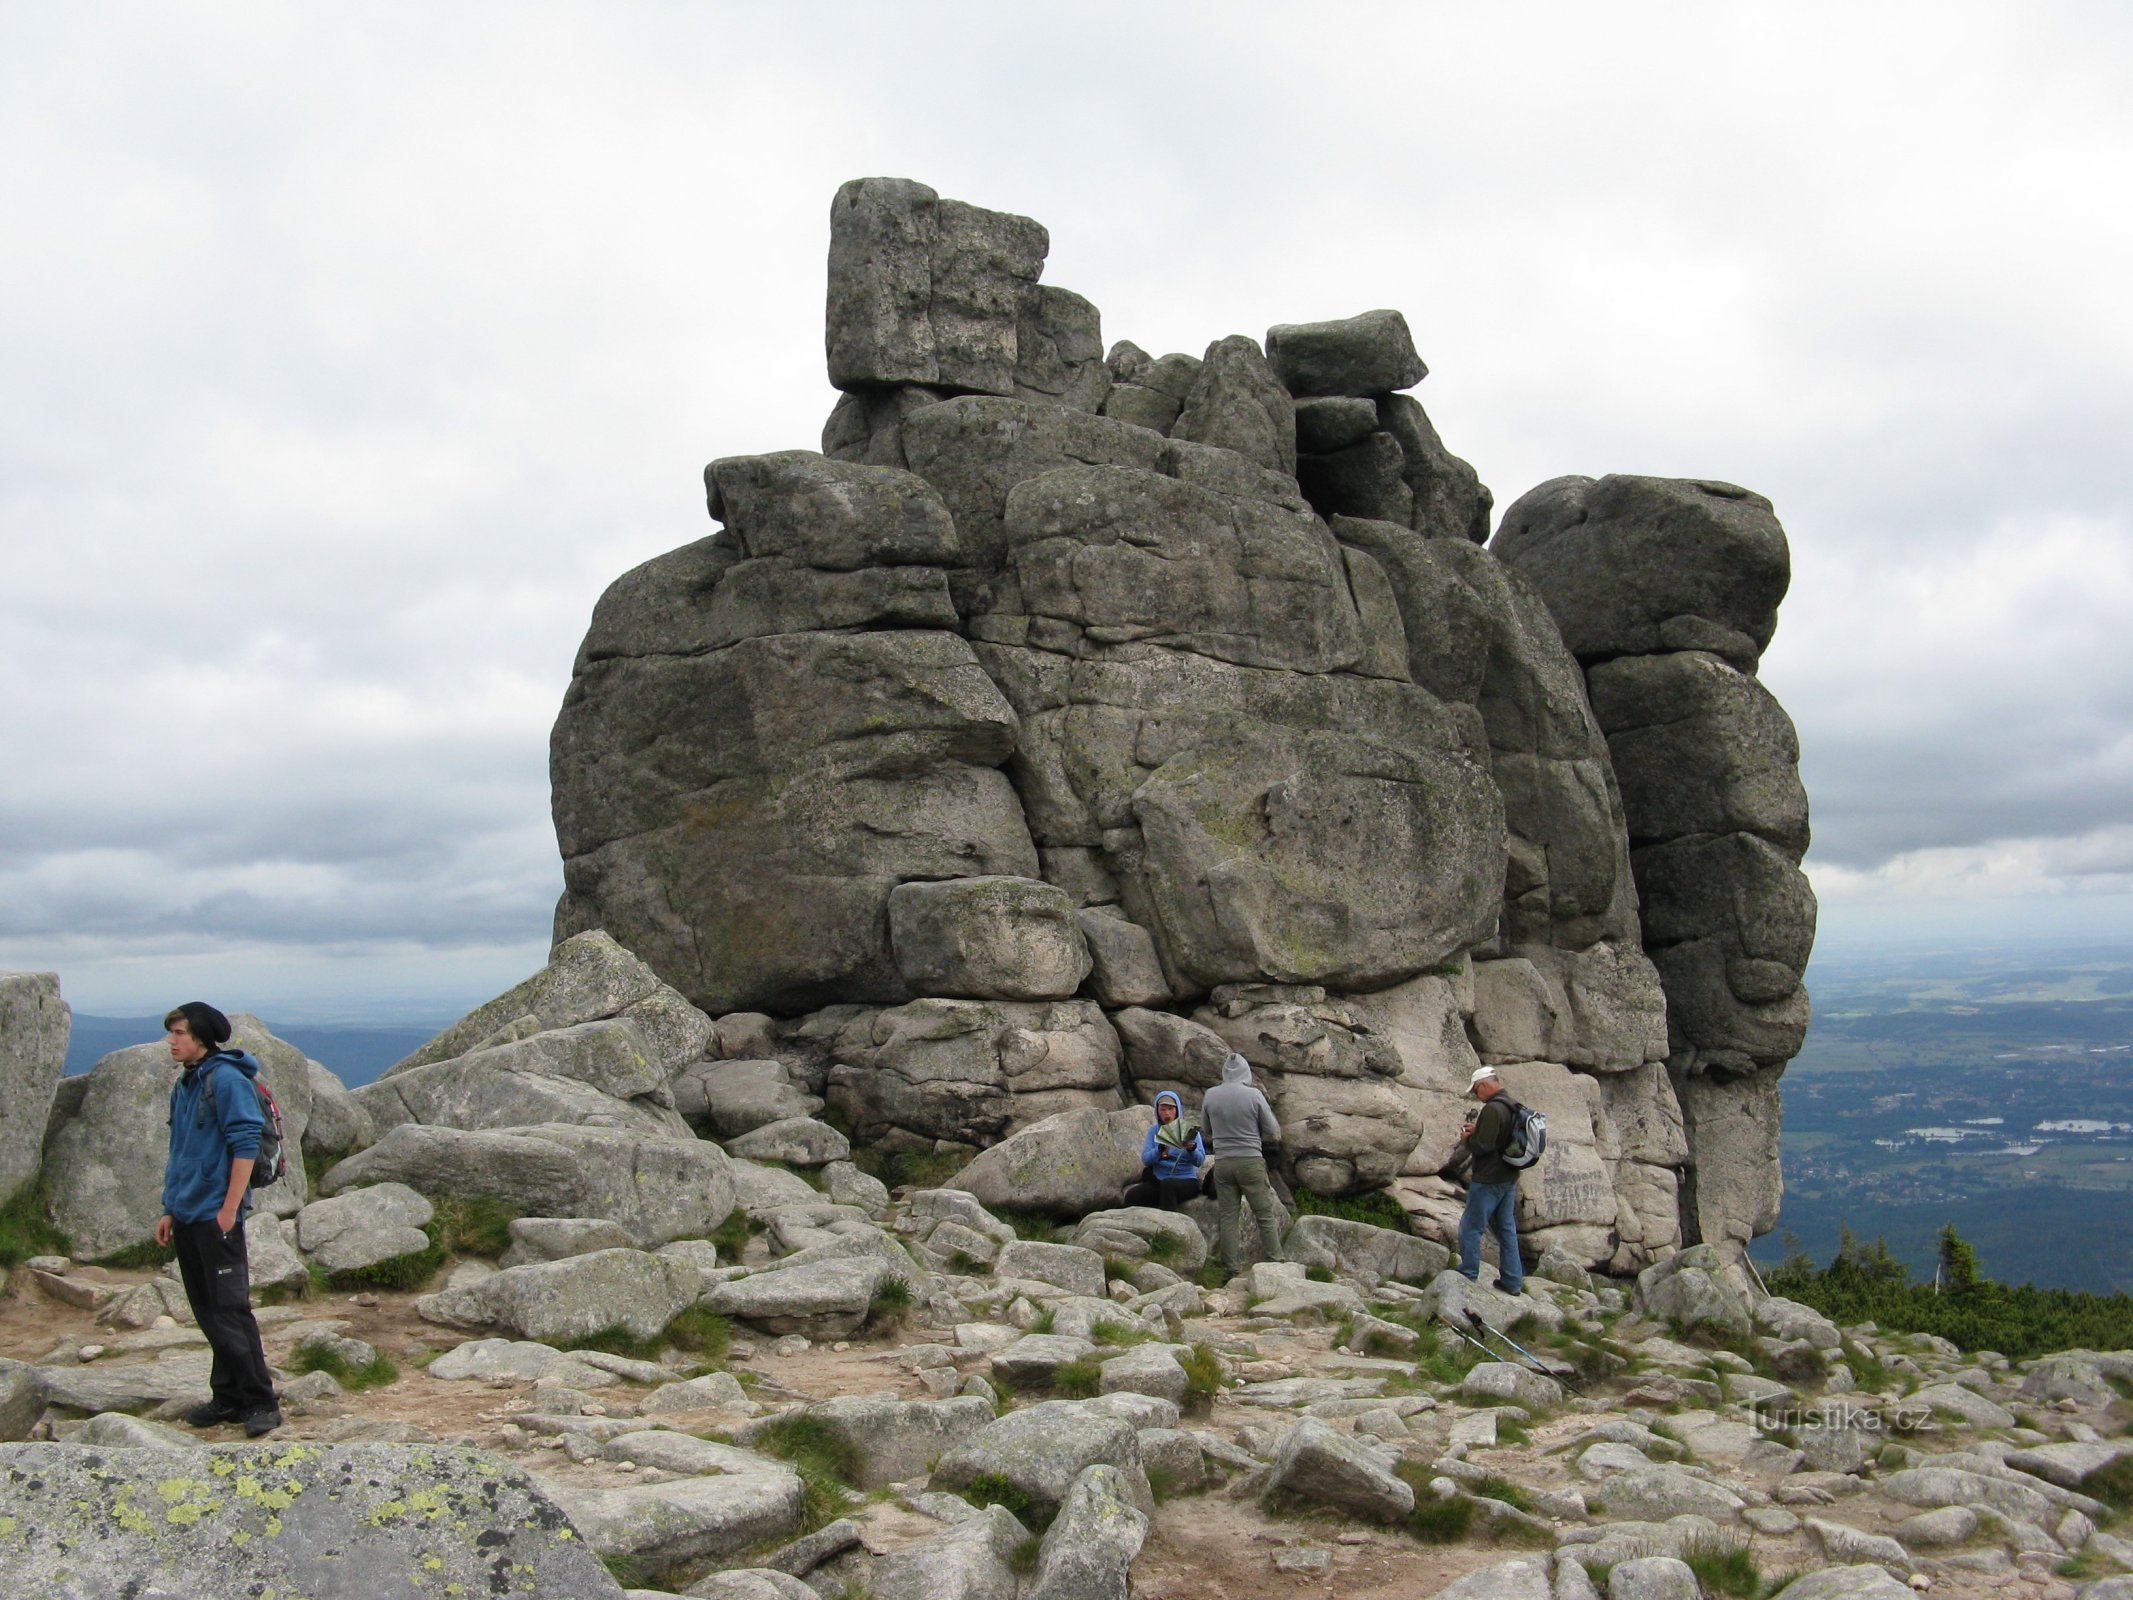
(206, 1183)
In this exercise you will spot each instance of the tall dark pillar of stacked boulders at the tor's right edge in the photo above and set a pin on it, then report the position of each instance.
(1667, 592)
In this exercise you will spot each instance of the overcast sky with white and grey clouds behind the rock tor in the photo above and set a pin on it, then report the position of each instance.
(349, 355)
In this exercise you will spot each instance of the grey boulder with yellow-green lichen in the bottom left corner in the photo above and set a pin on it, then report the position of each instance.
(91, 1524)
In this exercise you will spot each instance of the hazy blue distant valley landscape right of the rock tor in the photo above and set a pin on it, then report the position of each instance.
(1983, 1087)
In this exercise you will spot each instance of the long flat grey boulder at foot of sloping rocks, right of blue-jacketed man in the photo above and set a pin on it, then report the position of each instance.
(658, 1189)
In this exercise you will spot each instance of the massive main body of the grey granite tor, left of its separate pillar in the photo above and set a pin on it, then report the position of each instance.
(1078, 718)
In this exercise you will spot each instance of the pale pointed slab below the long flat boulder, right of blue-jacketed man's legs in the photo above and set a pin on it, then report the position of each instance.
(577, 1298)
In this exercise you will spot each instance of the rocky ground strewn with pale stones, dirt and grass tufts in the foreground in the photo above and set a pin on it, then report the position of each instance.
(1309, 1428)
